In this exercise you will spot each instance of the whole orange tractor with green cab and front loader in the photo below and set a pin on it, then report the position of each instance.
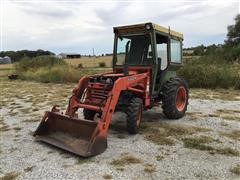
(145, 60)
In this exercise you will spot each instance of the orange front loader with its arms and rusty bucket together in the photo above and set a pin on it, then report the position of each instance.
(85, 137)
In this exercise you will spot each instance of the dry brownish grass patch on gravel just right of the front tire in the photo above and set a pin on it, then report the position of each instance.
(163, 133)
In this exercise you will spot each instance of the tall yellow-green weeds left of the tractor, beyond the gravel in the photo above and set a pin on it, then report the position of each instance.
(48, 69)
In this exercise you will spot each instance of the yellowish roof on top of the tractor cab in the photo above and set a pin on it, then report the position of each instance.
(141, 27)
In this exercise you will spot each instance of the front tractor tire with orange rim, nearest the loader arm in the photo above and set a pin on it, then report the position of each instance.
(134, 115)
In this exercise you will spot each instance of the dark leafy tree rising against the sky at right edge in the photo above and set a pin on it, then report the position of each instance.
(233, 35)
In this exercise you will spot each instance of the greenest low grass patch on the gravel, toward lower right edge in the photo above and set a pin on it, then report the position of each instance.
(200, 143)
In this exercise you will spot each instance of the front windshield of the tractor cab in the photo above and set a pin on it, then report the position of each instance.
(139, 51)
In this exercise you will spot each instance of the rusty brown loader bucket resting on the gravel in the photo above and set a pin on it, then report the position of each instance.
(74, 135)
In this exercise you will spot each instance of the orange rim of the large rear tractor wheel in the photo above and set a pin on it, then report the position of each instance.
(181, 98)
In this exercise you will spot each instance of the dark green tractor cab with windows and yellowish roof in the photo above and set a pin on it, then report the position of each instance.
(145, 46)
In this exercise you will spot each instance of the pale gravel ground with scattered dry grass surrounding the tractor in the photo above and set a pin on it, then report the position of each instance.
(23, 104)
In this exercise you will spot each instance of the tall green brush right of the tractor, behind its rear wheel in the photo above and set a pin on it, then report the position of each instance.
(201, 74)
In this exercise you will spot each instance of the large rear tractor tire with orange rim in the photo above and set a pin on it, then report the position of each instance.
(175, 98)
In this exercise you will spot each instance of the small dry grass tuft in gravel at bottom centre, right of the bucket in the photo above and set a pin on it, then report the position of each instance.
(125, 160)
